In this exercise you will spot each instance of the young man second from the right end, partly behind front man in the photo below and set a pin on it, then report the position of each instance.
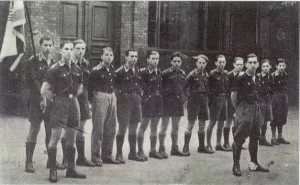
(264, 79)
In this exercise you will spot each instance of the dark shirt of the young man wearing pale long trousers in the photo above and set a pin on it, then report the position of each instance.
(101, 80)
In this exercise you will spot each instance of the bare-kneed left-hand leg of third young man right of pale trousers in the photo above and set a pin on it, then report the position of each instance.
(162, 135)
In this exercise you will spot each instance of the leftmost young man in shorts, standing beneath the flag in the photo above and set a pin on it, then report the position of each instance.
(36, 69)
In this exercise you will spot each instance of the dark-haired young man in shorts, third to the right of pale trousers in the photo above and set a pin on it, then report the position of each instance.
(173, 80)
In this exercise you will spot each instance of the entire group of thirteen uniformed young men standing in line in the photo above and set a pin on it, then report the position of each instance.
(61, 92)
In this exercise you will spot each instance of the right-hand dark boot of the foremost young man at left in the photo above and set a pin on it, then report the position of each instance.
(71, 170)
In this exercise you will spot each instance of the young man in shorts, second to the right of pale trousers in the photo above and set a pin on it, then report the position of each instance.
(151, 104)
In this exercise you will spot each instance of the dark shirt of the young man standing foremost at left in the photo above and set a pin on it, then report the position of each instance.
(63, 79)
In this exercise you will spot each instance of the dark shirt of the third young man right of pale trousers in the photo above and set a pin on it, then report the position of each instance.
(173, 83)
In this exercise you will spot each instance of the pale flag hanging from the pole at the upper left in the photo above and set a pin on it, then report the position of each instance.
(14, 37)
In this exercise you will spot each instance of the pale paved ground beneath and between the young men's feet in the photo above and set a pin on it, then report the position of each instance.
(196, 169)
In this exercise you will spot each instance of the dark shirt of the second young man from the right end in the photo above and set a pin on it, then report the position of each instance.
(264, 85)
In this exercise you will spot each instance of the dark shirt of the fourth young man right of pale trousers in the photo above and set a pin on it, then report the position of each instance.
(197, 82)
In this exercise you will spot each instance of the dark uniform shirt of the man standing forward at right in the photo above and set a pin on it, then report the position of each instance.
(247, 88)
